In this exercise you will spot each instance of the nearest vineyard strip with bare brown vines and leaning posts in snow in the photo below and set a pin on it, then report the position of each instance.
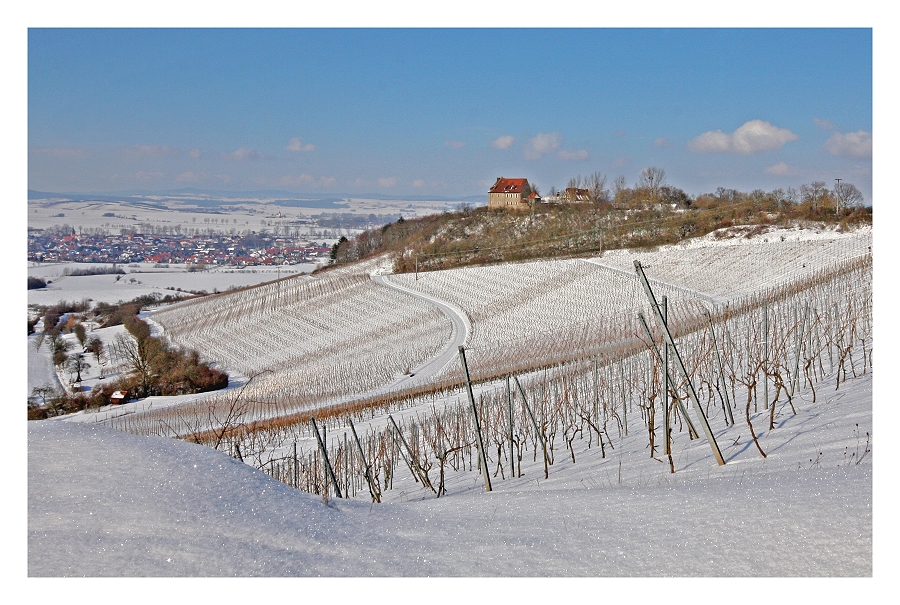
(760, 378)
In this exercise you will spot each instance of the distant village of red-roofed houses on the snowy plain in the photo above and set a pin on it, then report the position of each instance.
(205, 249)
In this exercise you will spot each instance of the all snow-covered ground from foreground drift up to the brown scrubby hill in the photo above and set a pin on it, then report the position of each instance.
(582, 484)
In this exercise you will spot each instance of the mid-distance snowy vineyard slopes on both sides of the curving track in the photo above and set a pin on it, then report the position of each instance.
(329, 338)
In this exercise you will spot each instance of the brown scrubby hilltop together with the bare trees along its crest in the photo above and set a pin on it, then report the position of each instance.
(649, 214)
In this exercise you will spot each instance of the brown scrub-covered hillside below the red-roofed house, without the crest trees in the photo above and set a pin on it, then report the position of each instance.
(473, 236)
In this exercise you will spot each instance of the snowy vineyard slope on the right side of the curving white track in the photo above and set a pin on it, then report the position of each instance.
(558, 308)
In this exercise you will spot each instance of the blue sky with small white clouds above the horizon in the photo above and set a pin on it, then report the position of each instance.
(445, 111)
